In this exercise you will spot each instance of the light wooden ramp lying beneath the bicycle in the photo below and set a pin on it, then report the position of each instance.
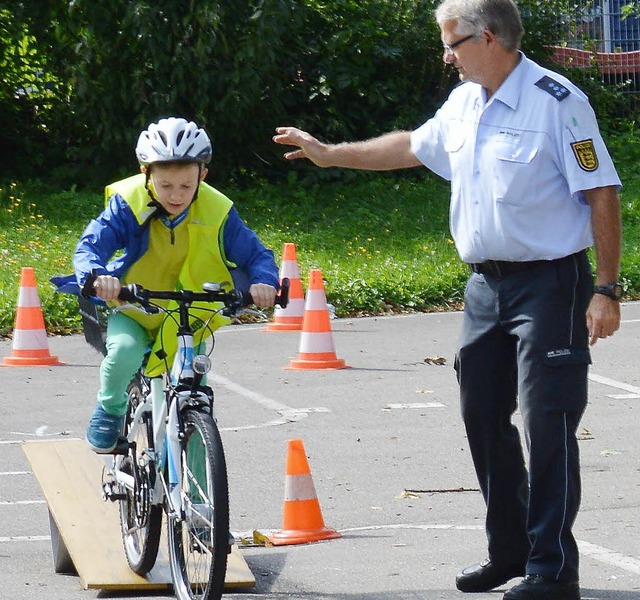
(85, 530)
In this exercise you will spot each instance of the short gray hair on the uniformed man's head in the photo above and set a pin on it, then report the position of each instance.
(501, 17)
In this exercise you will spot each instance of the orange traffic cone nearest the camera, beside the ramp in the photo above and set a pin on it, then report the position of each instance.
(301, 517)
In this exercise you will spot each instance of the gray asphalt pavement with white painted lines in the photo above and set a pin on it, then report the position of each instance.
(387, 453)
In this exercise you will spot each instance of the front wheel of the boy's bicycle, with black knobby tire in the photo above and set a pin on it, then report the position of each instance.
(199, 543)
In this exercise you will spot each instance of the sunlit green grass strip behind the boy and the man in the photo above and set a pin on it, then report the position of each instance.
(381, 241)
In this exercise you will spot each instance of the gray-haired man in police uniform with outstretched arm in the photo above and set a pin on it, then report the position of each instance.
(532, 187)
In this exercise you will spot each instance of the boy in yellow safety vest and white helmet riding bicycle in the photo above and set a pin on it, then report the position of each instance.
(164, 228)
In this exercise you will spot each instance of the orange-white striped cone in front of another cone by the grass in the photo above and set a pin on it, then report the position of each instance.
(317, 350)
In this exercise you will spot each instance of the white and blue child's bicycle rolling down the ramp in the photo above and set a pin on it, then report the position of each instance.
(170, 455)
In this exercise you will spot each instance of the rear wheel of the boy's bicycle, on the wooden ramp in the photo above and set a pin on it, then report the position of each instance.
(140, 521)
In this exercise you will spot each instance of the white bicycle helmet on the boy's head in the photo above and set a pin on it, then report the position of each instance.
(173, 140)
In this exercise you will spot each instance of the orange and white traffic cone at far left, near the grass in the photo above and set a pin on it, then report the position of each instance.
(30, 346)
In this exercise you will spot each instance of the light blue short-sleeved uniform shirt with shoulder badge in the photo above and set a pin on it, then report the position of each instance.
(517, 164)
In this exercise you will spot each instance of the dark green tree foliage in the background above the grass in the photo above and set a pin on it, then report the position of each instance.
(80, 78)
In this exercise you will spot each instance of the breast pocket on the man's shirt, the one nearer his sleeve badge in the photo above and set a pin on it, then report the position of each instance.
(515, 172)
